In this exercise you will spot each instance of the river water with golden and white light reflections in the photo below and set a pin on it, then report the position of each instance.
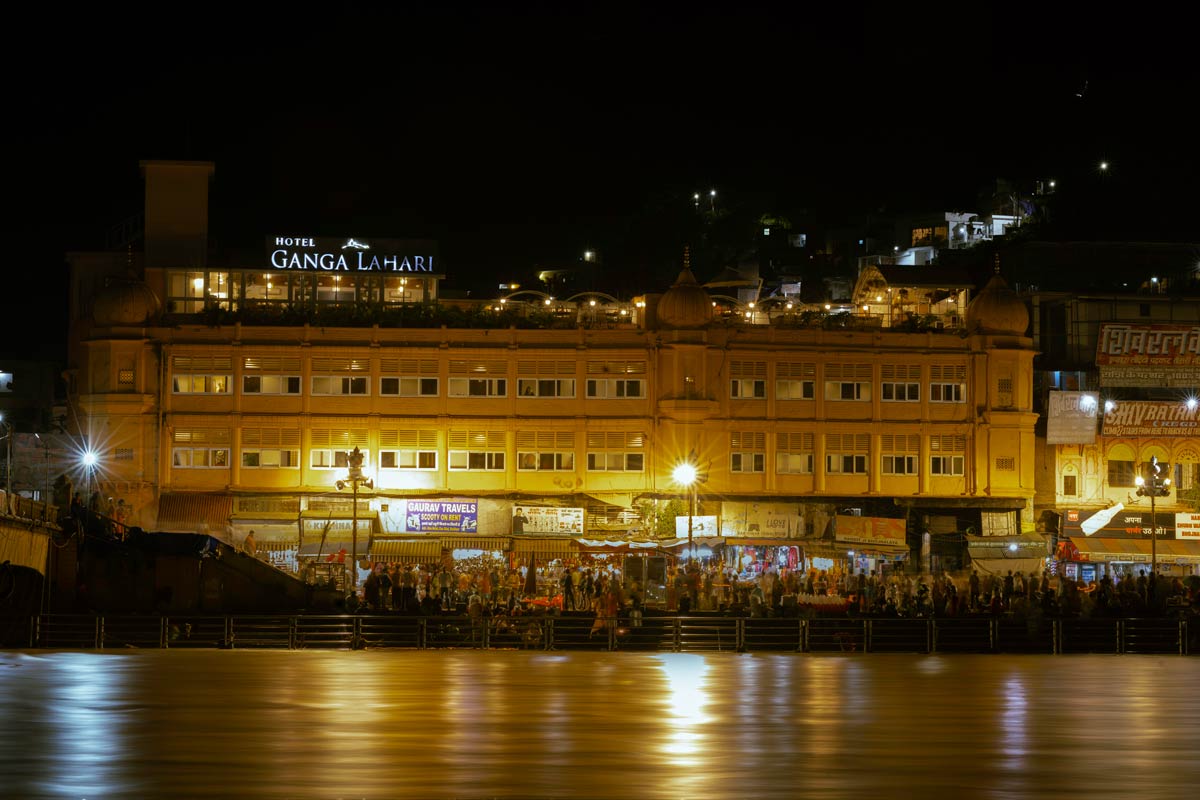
(163, 724)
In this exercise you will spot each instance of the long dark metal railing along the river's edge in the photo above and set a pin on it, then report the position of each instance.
(651, 634)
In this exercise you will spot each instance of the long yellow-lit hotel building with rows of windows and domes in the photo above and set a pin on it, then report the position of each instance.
(214, 410)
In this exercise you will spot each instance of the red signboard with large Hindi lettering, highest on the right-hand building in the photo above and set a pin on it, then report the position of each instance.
(1149, 356)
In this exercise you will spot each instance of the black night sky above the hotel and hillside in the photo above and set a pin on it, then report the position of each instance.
(520, 135)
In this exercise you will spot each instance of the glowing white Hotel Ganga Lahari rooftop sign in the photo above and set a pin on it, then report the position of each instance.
(350, 255)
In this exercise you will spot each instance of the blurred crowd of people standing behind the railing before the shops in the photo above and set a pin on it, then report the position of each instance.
(604, 592)
